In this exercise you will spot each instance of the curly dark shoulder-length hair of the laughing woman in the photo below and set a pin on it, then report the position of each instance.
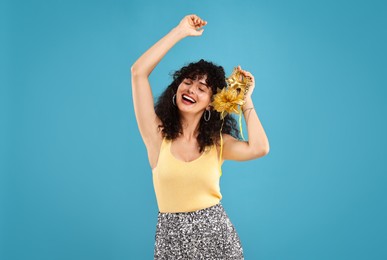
(168, 113)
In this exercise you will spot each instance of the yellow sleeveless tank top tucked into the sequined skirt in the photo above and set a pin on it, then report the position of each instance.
(186, 186)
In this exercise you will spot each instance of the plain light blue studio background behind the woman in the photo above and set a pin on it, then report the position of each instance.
(76, 182)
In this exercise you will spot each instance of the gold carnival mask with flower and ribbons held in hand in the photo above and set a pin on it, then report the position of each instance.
(230, 99)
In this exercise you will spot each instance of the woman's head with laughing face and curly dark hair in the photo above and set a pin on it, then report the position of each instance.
(196, 83)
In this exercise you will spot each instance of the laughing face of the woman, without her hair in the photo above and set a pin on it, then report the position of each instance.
(193, 95)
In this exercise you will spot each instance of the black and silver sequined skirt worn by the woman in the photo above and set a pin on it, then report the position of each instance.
(202, 234)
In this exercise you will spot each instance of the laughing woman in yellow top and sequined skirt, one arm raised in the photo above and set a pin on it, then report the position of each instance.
(181, 134)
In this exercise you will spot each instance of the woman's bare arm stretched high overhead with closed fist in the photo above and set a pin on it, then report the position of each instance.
(146, 117)
